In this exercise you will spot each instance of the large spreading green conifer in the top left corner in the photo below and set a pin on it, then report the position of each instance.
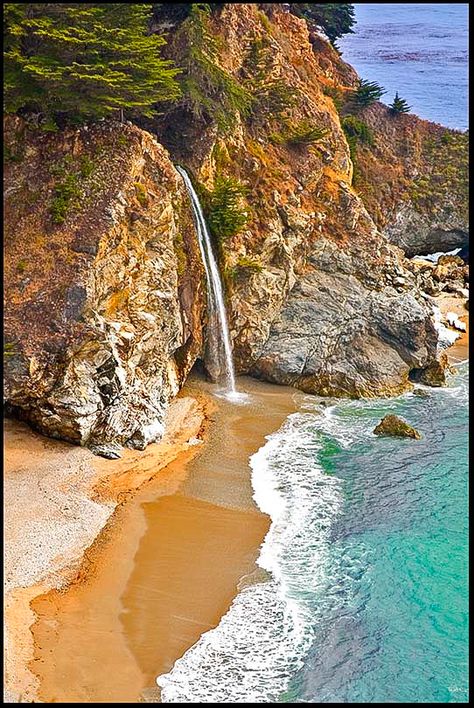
(81, 60)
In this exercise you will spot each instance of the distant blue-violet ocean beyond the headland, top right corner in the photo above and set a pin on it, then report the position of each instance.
(417, 49)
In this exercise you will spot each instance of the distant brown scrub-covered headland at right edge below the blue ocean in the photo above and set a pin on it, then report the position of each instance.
(413, 180)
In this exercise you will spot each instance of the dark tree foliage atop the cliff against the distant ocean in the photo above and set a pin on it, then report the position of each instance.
(334, 19)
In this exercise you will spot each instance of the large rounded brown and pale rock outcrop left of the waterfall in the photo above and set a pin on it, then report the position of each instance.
(103, 308)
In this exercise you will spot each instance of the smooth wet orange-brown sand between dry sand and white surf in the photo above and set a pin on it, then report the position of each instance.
(166, 568)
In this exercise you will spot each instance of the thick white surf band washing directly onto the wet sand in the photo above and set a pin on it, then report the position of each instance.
(264, 637)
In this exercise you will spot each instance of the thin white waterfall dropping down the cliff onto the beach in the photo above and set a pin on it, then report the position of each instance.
(216, 306)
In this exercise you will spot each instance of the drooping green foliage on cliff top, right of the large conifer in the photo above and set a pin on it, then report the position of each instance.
(208, 90)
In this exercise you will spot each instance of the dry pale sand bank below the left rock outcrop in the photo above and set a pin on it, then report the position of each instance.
(58, 498)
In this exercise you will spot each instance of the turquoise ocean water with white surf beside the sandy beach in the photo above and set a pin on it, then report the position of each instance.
(367, 554)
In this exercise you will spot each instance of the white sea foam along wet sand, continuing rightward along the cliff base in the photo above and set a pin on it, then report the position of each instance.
(264, 638)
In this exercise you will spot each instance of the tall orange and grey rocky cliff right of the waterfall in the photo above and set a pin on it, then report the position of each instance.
(326, 306)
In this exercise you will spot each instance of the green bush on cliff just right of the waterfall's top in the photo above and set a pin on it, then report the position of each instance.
(223, 208)
